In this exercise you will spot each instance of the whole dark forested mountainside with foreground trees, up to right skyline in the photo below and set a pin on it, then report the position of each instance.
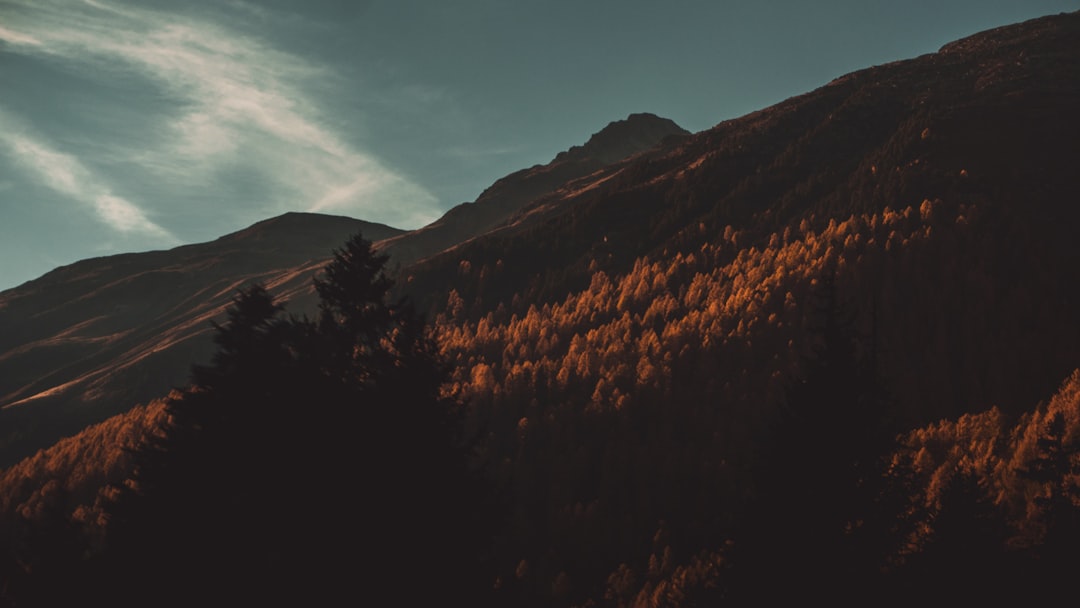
(829, 352)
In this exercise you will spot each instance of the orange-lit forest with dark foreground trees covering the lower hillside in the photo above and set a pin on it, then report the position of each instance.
(684, 435)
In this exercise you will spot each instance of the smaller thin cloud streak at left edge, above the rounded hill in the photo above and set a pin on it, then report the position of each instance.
(66, 175)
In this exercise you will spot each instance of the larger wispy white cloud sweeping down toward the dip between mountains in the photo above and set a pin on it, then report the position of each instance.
(235, 102)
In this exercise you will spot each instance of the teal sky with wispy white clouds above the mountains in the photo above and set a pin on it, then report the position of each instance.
(129, 126)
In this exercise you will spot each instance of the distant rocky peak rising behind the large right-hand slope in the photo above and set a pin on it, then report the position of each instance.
(616, 143)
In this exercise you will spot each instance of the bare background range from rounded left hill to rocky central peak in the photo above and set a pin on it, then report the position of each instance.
(94, 339)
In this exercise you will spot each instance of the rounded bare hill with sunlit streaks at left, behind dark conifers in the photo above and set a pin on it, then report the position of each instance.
(94, 339)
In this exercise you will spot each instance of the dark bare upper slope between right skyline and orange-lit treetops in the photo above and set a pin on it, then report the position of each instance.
(989, 120)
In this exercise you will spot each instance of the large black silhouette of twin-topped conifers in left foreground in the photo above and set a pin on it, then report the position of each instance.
(310, 461)
